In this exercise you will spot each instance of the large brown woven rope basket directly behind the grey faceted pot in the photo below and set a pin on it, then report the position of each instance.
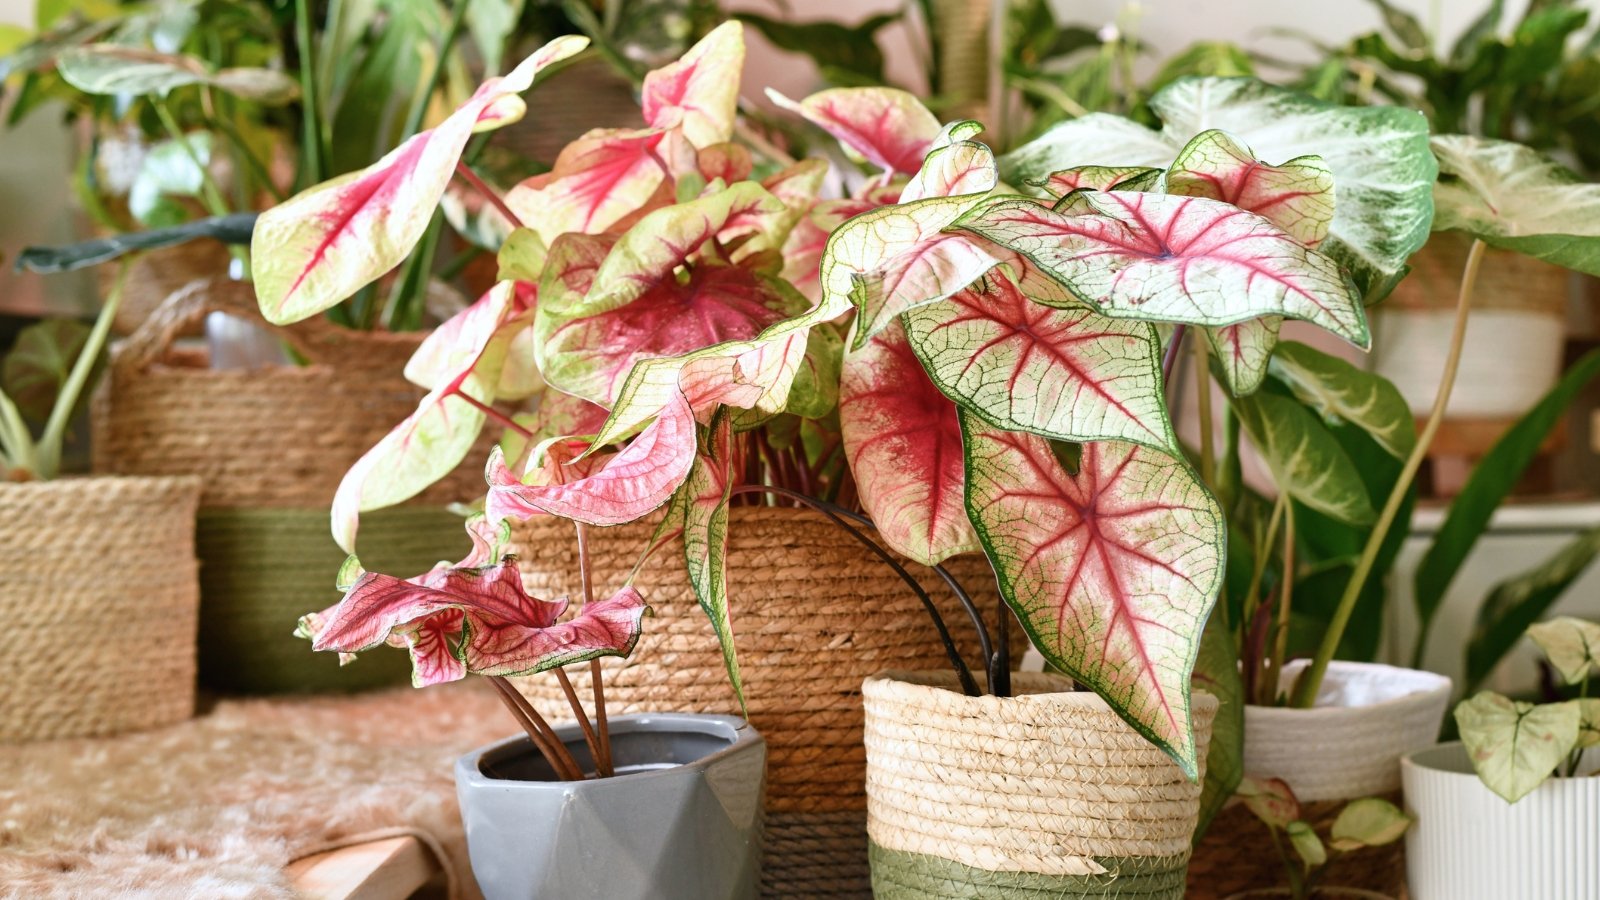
(814, 614)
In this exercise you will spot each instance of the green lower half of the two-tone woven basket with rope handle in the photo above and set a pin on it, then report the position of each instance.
(276, 566)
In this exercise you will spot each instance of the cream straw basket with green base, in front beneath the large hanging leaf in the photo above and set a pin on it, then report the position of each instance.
(1047, 794)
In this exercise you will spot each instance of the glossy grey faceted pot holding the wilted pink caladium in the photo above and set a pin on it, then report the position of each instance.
(682, 819)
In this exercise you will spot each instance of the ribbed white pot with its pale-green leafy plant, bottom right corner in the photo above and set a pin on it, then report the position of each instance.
(1521, 784)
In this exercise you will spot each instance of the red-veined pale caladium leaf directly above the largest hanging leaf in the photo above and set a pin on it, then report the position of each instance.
(1063, 374)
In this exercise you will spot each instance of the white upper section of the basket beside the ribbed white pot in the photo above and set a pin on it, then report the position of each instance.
(1351, 742)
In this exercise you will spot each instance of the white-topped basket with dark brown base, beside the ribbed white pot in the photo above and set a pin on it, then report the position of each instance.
(1346, 747)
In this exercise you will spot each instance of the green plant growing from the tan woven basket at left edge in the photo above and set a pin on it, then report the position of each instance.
(46, 379)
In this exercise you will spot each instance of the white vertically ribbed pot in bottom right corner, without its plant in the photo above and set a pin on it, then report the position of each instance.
(1471, 845)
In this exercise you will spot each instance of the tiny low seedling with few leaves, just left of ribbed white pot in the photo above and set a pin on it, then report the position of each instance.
(1367, 822)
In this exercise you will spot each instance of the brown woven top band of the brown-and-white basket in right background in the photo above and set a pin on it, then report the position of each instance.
(1506, 281)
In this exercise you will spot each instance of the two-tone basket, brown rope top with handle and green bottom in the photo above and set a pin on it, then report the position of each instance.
(271, 448)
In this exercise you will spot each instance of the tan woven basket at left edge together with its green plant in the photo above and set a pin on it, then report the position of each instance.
(87, 550)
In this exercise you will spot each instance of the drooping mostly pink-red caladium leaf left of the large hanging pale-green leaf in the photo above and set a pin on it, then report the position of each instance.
(905, 446)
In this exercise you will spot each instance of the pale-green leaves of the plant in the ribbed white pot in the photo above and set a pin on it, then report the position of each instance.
(1516, 745)
